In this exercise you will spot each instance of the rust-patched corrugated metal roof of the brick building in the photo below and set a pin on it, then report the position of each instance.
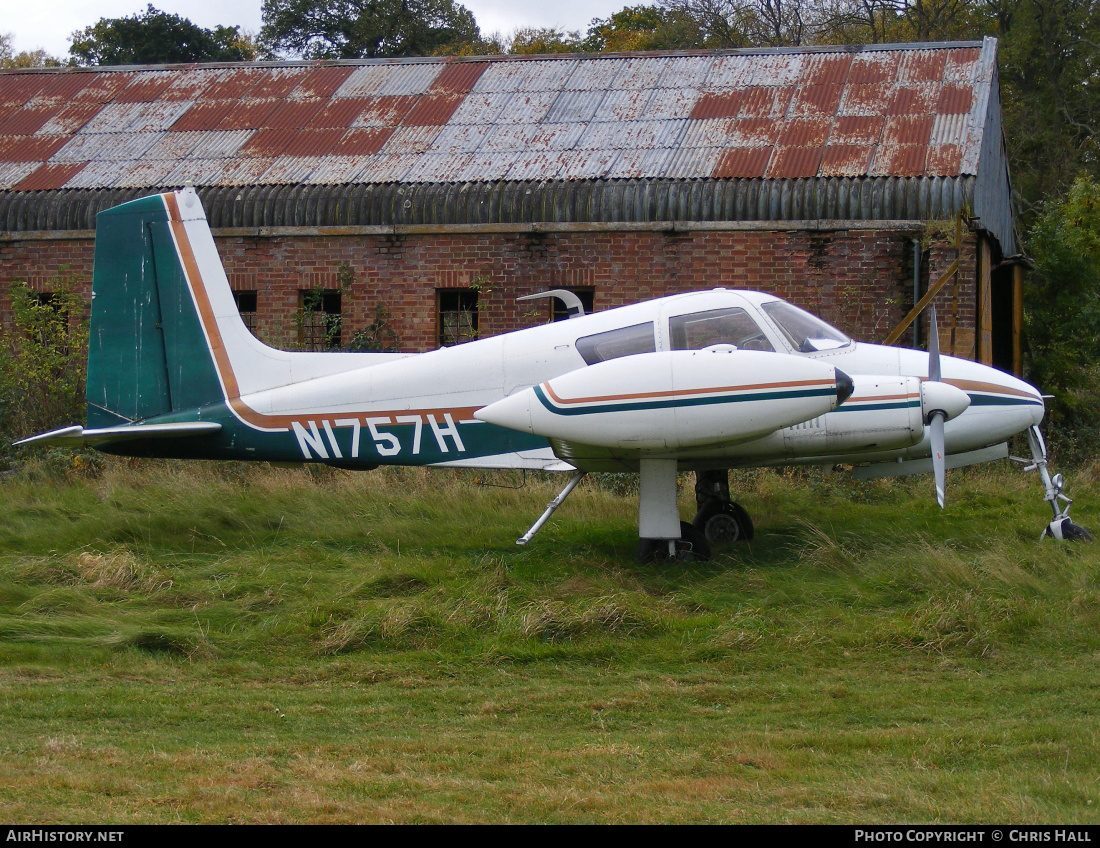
(912, 112)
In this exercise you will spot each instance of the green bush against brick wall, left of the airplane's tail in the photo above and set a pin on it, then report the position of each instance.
(42, 361)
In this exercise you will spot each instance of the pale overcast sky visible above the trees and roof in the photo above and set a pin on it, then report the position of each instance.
(48, 25)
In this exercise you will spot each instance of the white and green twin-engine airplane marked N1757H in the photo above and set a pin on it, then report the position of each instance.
(701, 382)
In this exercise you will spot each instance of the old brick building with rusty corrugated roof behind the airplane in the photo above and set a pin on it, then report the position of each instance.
(410, 203)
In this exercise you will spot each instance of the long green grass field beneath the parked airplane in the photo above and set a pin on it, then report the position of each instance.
(207, 645)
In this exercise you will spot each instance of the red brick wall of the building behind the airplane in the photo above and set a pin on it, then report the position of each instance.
(859, 280)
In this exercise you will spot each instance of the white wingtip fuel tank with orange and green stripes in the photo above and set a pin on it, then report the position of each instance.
(674, 400)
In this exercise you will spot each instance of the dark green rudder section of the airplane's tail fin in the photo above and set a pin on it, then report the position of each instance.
(148, 356)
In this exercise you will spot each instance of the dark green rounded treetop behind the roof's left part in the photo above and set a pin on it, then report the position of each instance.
(158, 38)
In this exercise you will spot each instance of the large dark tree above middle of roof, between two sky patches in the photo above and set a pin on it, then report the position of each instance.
(367, 29)
